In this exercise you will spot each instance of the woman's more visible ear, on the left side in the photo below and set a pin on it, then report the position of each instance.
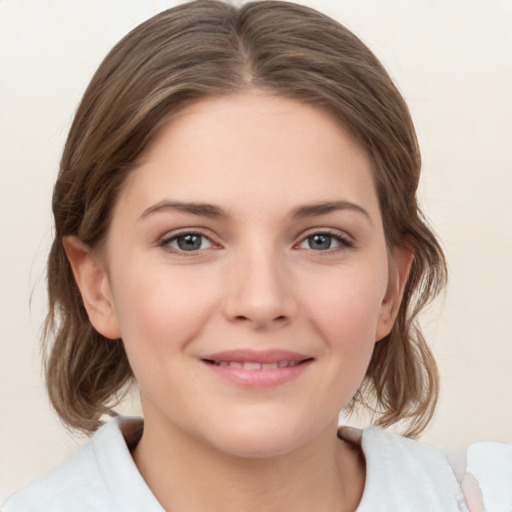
(93, 282)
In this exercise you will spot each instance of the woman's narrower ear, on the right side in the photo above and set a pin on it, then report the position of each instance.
(400, 265)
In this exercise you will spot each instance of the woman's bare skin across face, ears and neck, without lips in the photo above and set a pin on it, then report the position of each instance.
(256, 281)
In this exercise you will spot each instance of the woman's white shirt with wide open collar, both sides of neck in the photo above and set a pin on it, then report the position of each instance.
(401, 476)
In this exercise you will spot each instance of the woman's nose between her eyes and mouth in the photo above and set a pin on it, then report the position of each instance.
(260, 291)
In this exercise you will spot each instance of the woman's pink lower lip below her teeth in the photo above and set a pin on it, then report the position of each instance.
(263, 378)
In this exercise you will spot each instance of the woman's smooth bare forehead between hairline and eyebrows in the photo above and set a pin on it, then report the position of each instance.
(253, 145)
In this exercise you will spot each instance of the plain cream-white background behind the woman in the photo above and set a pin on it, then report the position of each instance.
(452, 59)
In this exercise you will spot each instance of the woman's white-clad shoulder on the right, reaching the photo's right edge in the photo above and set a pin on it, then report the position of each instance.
(403, 474)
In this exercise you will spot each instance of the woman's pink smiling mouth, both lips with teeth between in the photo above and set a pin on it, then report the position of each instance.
(264, 369)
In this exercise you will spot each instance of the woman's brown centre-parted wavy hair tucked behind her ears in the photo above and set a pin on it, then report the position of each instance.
(209, 48)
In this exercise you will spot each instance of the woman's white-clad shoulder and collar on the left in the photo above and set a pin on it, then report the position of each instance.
(94, 478)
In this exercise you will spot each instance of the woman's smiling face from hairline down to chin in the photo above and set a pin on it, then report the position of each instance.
(246, 271)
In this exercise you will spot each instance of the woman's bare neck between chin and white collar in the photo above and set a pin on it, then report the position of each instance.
(184, 473)
